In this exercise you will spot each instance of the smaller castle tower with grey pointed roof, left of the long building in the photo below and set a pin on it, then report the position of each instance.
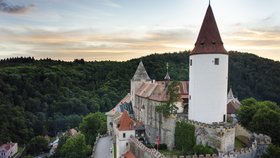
(139, 77)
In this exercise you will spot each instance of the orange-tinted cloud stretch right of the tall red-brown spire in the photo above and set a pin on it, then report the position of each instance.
(261, 41)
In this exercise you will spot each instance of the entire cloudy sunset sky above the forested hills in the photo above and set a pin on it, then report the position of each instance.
(125, 29)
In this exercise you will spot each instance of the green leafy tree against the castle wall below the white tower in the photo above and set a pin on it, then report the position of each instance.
(184, 136)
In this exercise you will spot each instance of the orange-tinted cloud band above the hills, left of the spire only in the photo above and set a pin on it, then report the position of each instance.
(96, 45)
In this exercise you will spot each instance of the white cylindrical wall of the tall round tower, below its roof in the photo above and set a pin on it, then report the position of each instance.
(208, 88)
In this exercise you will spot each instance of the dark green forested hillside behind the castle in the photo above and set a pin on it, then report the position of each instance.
(43, 97)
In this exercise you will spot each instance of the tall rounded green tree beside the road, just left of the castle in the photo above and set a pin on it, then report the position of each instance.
(93, 124)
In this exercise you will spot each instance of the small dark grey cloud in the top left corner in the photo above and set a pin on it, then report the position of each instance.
(14, 9)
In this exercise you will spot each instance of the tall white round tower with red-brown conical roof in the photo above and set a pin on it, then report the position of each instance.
(208, 74)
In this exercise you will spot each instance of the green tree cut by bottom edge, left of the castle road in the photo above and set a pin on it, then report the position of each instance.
(75, 147)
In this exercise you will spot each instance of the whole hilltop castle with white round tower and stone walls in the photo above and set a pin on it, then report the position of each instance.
(204, 101)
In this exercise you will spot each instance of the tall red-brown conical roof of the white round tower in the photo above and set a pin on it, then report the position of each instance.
(209, 40)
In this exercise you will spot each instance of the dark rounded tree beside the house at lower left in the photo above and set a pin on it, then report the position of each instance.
(37, 145)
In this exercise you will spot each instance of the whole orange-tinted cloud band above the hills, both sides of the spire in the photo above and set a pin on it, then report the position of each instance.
(92, 44)
